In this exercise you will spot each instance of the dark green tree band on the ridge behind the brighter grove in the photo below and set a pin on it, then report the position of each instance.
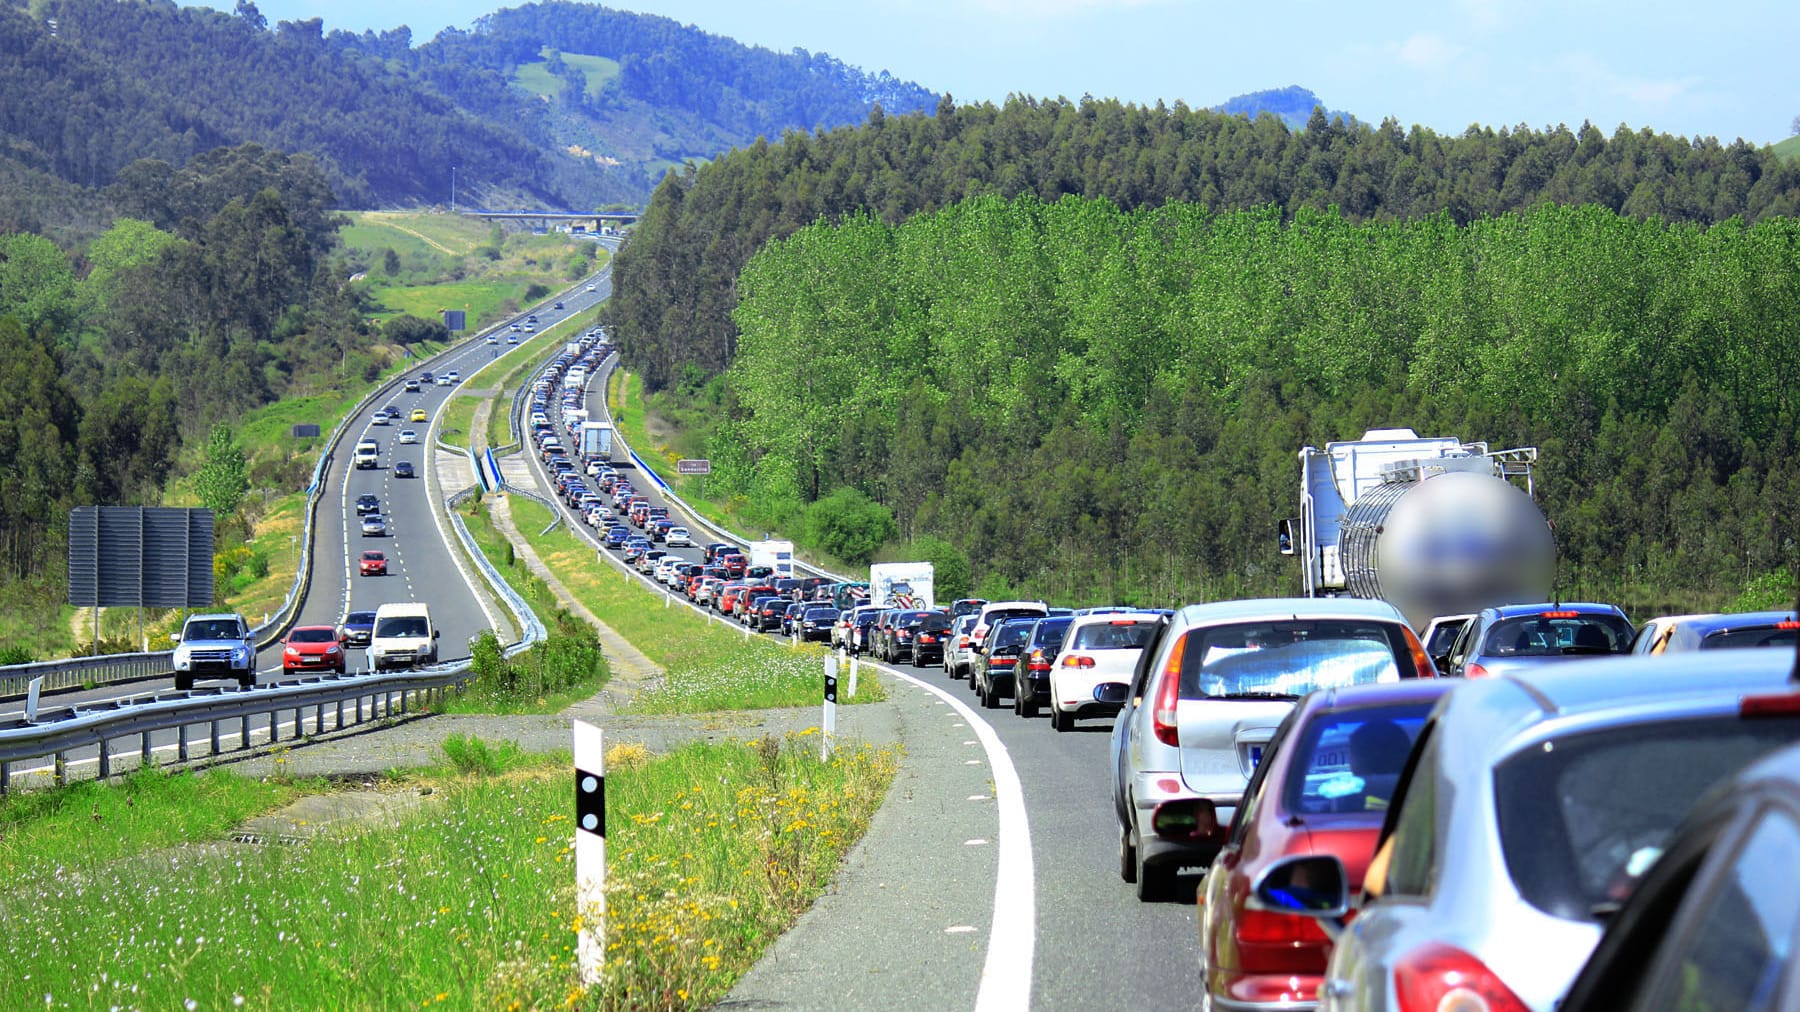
(678, 278)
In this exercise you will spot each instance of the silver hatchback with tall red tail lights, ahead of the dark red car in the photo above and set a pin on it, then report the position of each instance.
(1209, 694)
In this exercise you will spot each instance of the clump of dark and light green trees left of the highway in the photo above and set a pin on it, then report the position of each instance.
(217, 298)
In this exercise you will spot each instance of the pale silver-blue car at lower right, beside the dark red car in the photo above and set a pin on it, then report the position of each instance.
(1529, 808)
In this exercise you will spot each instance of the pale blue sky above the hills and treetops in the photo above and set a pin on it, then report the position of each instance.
(1675, 66)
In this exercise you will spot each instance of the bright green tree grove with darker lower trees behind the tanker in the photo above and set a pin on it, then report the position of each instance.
(1102, 404)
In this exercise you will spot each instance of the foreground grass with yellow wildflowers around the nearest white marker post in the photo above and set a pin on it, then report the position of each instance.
(712, 851)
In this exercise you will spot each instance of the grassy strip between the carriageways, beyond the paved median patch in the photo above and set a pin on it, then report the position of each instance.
(708, 665)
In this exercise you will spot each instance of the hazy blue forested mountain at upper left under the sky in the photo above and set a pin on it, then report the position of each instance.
(566, 105)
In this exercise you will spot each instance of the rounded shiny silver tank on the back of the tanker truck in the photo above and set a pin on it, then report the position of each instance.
(1450, 545)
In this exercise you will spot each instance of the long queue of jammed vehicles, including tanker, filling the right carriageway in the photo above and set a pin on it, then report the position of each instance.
(1421, 788)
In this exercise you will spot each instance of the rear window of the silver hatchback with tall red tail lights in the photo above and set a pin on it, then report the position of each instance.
(1291, 658)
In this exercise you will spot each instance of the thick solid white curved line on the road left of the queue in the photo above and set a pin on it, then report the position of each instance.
(1012, 934)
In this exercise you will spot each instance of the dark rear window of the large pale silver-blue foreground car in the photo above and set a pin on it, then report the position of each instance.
(1585, 815)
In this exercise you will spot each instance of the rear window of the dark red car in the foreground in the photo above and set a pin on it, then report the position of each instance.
(1349, 761)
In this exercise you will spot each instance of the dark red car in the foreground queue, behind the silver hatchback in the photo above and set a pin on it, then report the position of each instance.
(1320, 788)
